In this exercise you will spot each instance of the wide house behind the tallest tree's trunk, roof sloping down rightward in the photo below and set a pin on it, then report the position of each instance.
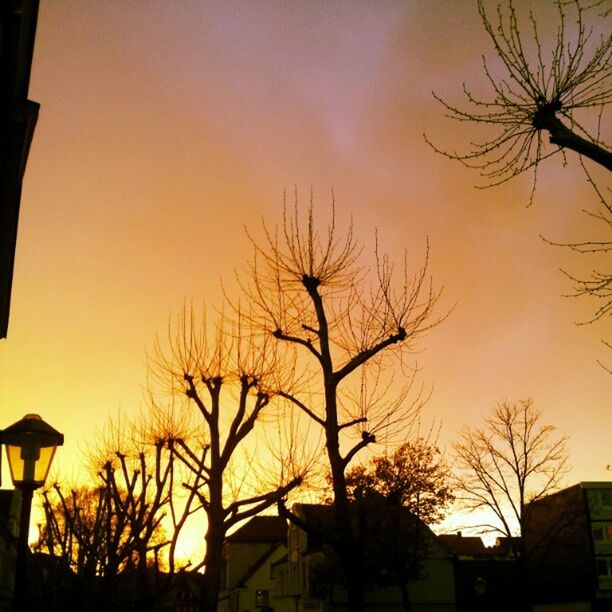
(311, 580)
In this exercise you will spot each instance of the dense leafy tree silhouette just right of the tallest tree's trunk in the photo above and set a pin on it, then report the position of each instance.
(396, 495)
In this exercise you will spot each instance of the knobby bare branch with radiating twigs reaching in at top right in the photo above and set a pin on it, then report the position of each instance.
(540, 92)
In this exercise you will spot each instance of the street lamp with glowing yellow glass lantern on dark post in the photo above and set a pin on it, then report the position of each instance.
(30, 447)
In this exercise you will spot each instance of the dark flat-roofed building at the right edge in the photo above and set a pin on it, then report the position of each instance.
(569, 546)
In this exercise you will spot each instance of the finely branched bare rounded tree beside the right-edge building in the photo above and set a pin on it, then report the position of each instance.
(514, 460)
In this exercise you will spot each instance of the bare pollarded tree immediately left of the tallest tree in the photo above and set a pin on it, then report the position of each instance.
(224, 373)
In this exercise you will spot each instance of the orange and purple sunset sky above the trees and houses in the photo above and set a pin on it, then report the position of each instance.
(166, 128)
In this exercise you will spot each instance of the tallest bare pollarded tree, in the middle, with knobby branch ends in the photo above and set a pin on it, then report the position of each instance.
(341, 324)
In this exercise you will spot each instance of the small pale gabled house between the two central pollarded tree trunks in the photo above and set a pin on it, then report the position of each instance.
(251, 554)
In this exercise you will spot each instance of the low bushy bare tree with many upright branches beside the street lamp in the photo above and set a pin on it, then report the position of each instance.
(109, 536)
